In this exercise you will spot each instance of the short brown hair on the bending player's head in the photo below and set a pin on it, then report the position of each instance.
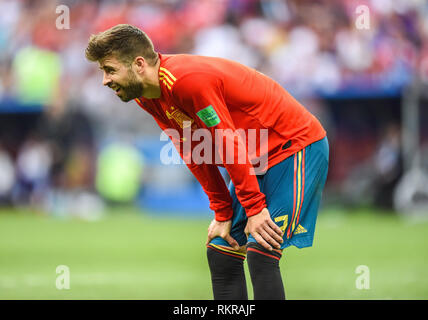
(124, 42)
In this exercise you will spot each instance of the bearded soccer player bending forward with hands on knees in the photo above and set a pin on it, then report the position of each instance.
(263, 211)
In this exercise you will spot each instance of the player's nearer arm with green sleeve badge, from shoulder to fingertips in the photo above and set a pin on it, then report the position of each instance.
(201, 96)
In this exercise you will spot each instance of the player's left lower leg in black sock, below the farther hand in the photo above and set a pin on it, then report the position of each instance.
(227, 275)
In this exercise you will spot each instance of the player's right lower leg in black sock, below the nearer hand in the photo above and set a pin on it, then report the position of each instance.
(265, 273)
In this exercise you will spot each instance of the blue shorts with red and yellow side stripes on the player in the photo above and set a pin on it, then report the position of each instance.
(293, 190)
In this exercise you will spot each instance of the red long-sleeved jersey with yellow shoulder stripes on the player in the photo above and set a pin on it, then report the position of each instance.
(214, 93)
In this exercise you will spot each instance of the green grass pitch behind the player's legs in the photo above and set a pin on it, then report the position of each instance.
(133, 255)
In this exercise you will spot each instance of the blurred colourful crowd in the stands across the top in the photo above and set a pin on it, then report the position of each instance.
(308, 46)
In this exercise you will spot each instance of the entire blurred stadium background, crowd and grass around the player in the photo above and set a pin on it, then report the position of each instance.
(81, 183)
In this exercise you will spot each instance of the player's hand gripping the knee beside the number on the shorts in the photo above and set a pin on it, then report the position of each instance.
(264, 230)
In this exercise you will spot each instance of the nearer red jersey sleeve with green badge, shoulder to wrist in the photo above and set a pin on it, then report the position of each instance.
(201, 96)
